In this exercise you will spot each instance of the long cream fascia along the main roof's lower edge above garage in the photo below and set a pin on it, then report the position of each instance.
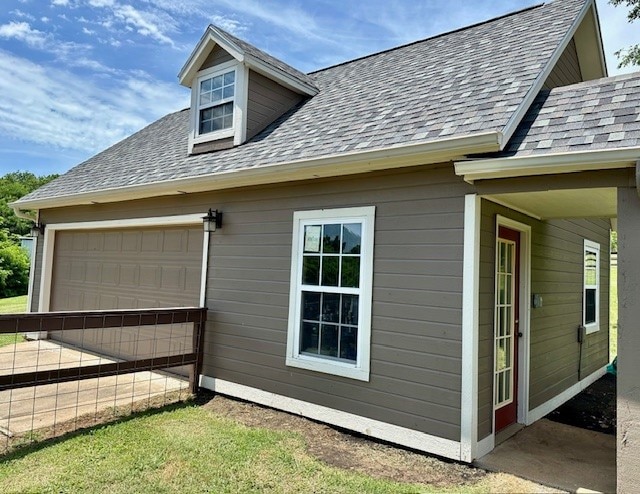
(327, 166)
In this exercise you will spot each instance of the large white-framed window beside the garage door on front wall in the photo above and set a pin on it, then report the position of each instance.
(331, 287)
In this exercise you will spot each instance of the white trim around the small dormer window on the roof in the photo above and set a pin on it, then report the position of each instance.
(239, 128)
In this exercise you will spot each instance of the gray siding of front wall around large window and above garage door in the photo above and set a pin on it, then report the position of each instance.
(416, 323)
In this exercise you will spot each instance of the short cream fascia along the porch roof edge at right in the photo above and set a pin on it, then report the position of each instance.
(547, 164)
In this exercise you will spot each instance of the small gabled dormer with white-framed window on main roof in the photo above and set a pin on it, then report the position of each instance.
(236, 91)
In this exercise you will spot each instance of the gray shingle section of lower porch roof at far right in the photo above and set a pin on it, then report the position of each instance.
(593, 115)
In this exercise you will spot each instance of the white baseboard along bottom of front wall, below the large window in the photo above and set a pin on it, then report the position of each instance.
(369, 427)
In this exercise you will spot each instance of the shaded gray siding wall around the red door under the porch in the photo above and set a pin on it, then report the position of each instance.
(556, 274)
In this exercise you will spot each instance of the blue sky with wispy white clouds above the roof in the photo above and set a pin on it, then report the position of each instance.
(79, 75)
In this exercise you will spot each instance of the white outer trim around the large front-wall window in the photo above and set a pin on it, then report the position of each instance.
(359, 370)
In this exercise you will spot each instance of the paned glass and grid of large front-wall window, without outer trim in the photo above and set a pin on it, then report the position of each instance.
(330, 282)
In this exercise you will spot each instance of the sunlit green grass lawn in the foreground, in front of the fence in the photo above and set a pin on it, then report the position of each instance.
(183, 448)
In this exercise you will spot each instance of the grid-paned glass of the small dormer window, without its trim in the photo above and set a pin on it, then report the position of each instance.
(215, 102)
